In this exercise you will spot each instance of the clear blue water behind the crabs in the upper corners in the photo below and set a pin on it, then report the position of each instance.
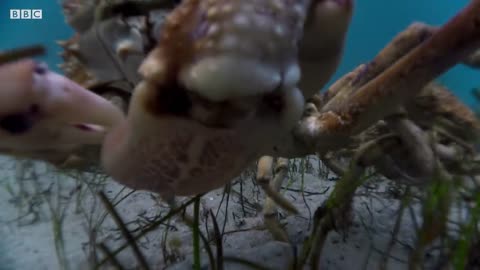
(375, 23)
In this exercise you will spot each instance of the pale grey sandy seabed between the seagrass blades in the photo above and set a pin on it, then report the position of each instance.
(49, 221)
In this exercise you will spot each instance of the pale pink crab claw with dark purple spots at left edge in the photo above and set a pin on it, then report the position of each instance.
(42, 112)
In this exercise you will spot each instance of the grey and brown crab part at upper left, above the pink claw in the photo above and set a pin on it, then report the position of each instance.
(104, 56)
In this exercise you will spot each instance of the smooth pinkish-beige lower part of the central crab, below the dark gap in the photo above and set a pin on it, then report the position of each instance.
(177, 155)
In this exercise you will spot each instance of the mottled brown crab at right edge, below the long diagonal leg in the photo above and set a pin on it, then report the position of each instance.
(435, 127)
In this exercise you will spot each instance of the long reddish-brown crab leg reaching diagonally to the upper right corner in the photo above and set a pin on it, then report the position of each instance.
(450, 44)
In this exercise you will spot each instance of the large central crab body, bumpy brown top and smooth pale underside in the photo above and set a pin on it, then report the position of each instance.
(176, 140)
